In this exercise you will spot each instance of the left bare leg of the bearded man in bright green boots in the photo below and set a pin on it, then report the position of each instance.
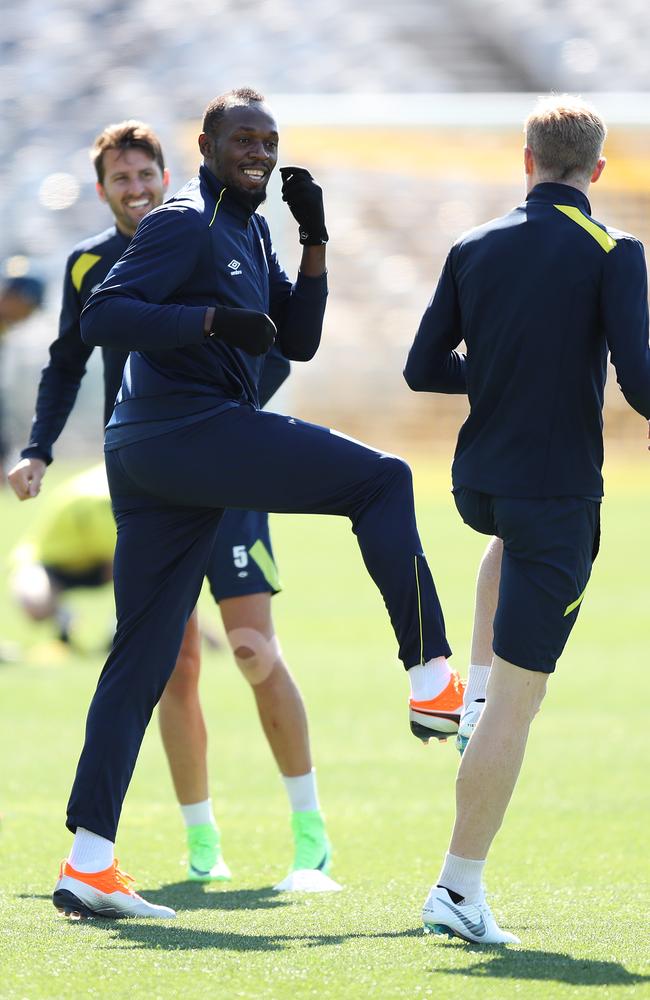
(182, 725)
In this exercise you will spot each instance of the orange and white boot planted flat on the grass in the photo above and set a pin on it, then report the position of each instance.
(108, 894)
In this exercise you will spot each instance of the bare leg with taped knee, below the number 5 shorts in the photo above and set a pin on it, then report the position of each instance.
(279, 702)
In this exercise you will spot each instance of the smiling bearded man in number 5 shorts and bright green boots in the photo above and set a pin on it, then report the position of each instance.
(132, 180)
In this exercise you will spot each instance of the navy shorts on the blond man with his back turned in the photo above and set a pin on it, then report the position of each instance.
(549, 546)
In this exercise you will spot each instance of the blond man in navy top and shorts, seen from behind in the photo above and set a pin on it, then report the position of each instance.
(539, 296)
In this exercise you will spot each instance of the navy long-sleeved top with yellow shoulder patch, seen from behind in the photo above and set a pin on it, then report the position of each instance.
(539, 296)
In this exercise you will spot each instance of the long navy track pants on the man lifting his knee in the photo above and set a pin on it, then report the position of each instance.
(168, 494)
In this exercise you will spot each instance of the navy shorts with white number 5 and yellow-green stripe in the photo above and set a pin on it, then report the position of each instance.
(242, 560)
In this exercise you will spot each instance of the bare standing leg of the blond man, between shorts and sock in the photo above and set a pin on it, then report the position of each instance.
(493, 757)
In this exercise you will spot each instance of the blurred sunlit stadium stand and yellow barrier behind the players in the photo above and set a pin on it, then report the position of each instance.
(409, 115)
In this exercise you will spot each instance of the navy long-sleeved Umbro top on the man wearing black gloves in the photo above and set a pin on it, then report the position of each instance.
(201, 248)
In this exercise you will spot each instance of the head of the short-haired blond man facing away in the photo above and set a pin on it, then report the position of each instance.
(566, 137)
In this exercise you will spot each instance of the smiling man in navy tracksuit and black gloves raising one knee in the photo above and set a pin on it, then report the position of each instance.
(199, 298)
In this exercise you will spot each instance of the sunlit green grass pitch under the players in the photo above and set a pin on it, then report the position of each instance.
(568, 872)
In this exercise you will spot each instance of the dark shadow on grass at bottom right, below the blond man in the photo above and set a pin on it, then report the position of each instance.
(548, 966)
